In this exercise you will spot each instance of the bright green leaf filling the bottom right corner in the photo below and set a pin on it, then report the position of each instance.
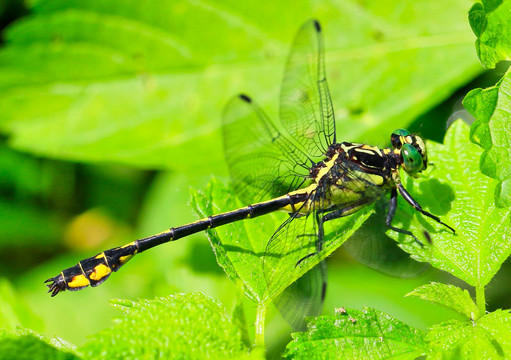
(487, 338)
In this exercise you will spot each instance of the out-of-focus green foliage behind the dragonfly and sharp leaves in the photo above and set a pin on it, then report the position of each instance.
(110, 111)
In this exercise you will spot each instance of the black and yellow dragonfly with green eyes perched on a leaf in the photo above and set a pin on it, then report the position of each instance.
(295, 165)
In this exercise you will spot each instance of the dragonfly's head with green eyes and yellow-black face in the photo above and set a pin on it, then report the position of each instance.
(412, 150)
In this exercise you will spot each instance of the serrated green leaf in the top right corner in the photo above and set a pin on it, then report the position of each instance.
(490, 23)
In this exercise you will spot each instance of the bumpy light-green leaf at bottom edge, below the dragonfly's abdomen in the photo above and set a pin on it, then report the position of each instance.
(178, 326)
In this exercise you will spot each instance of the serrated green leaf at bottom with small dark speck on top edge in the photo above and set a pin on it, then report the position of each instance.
(367, 334)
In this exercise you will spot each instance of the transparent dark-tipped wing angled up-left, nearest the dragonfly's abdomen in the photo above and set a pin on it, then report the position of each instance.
(262, 161)
